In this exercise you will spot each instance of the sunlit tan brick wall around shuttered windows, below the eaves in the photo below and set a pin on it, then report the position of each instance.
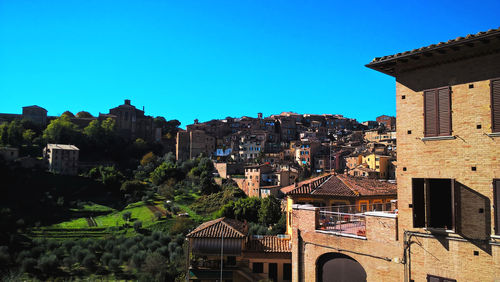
(450, 255)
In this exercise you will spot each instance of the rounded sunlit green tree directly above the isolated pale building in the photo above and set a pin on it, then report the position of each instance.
(62, 131)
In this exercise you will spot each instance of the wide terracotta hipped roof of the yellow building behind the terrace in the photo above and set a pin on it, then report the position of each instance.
(347, 186)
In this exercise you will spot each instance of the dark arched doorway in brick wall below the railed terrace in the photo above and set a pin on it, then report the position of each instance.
(337, 267)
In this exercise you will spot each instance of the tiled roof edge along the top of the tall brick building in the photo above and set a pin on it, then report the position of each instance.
(451, 42)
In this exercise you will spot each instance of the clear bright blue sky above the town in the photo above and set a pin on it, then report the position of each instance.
(212, 59)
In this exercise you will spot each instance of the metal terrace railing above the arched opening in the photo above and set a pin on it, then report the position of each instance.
(345, 223)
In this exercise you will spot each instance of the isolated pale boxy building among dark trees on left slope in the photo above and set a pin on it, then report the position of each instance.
(62, 158)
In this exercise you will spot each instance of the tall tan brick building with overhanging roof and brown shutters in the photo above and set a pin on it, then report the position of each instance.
(448, 113)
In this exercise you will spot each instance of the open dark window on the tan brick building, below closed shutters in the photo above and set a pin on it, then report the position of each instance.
(434, 203)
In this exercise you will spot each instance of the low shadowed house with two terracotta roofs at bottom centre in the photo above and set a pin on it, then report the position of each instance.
(244, 257)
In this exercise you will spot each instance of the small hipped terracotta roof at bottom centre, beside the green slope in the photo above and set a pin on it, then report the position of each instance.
(227, 227)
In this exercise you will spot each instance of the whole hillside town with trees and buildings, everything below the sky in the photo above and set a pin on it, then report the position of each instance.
(126, 196)
